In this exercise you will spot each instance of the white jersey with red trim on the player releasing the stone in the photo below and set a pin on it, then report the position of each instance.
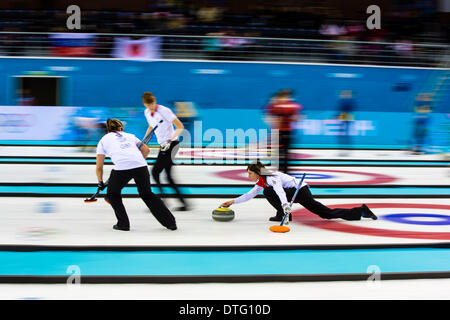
(278, 181)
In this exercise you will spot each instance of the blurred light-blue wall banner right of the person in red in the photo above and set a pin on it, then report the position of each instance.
(375, 129)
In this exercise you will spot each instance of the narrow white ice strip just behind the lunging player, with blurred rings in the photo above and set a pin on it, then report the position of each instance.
(55, 173)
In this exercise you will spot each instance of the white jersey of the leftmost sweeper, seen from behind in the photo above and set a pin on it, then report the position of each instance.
(122, 148)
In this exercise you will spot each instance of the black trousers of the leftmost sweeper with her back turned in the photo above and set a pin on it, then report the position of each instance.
(119, 179)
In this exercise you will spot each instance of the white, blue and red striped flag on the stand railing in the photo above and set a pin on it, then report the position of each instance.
(72, 44)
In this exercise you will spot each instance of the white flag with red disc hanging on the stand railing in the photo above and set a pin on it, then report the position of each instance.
(148, 48)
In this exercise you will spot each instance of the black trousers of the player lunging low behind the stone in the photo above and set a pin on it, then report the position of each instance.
(305, 198)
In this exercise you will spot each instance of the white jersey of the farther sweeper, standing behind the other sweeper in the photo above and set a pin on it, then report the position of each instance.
(165, 129)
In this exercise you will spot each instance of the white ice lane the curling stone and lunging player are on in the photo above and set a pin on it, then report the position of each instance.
(71, 221)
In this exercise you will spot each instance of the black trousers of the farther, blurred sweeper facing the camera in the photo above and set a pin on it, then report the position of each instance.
(164, 161)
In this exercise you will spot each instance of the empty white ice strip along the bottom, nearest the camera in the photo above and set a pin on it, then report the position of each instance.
(438, 289)
